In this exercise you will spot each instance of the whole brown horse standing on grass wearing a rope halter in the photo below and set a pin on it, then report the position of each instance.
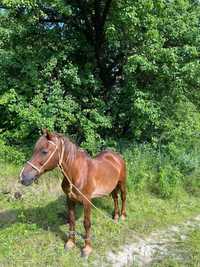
(84, 178)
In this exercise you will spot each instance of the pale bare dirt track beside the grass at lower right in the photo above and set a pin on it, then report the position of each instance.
(159, 244)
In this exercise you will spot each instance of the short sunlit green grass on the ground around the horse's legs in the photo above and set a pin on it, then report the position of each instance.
(33, 229)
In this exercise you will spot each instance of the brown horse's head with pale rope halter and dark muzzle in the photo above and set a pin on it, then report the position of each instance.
(45, 157)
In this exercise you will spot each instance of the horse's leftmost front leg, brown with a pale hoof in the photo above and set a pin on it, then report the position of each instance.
(71, 215)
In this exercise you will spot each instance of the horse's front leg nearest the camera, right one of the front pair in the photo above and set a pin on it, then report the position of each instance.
(87, 224)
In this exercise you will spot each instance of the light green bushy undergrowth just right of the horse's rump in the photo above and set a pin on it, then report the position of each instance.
(155, 171)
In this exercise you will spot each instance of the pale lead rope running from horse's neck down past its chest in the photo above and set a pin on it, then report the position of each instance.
(72, 185)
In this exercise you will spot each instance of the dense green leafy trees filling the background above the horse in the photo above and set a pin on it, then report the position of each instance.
(102, 71)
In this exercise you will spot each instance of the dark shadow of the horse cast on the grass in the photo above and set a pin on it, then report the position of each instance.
(49, 217)
